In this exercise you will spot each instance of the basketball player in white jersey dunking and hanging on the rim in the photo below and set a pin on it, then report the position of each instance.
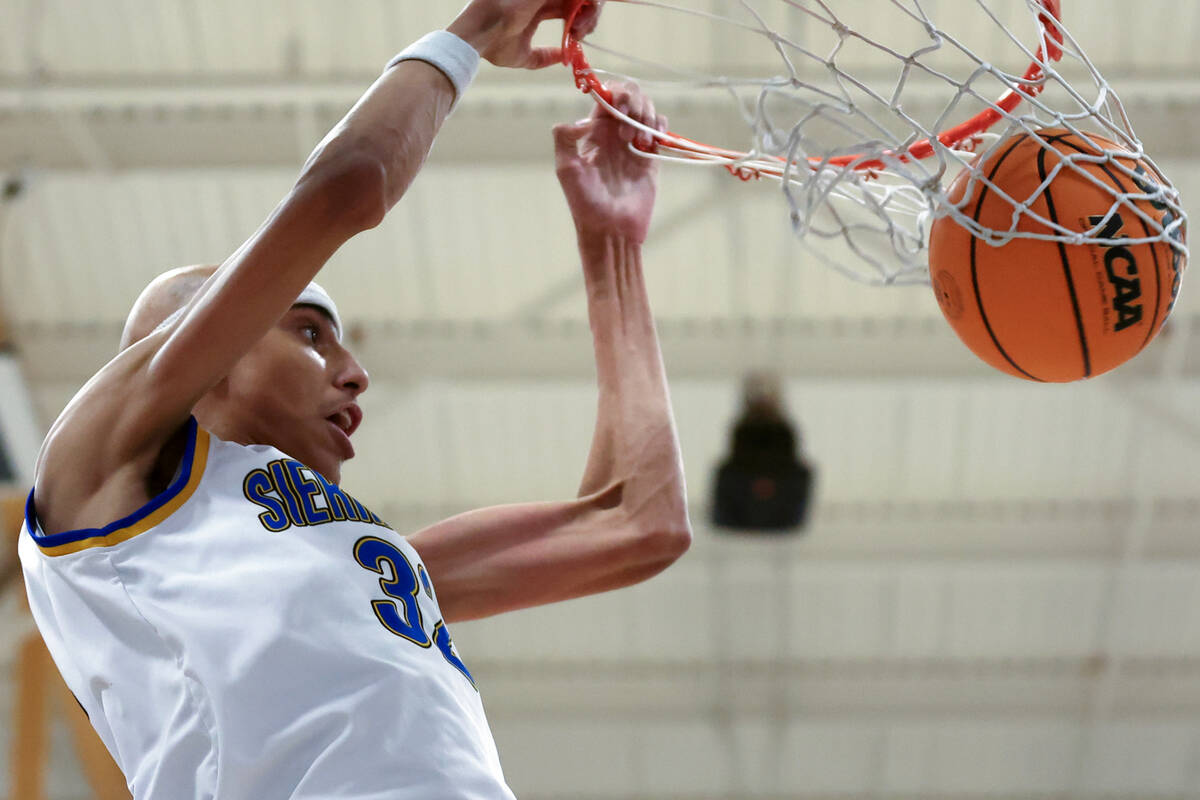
(236, 623)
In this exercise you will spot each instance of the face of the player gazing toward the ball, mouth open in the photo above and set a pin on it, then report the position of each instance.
(296, 390)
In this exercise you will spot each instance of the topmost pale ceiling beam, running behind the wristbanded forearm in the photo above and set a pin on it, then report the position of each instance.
(499, 121)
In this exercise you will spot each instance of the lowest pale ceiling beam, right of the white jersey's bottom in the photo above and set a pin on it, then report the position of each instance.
(866, 693)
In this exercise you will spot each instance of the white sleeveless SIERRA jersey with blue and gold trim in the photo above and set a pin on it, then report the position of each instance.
(255, 633)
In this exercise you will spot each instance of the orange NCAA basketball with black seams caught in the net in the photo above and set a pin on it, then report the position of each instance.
(1045, 310)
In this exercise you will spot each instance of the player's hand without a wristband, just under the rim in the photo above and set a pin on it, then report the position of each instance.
(610, 189)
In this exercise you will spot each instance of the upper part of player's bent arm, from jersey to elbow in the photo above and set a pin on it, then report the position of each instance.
(505, 558)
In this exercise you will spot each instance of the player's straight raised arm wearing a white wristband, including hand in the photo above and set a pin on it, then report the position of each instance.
(121, 423)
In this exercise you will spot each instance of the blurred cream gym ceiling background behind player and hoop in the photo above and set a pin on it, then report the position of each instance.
(998, 592)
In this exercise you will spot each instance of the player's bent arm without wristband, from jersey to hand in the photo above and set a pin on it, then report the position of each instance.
(631, 519)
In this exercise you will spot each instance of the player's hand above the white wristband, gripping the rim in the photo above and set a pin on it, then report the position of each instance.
(503, 31)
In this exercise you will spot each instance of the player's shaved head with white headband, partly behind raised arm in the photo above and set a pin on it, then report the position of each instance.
(295, 389)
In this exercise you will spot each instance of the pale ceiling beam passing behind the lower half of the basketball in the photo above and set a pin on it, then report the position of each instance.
(897, 348)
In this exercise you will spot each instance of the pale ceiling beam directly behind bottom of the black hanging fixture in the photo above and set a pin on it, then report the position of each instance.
(1016, 532)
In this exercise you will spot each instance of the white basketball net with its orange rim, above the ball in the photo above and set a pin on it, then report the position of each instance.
(866, 112)
